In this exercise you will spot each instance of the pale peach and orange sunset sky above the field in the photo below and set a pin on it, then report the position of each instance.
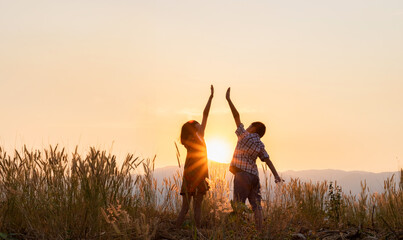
(326, 77)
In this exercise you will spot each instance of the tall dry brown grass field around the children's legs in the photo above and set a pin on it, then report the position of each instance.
(52, 194)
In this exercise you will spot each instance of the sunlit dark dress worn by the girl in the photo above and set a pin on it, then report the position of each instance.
(196, 168)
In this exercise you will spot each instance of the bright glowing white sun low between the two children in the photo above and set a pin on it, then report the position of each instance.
(218, 150)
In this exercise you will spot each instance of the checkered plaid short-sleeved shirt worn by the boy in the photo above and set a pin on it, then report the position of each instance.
(248, 148)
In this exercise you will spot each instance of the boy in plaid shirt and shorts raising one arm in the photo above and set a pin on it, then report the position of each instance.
(243, 165)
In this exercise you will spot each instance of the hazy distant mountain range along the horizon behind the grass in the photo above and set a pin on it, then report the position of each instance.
(349, 181)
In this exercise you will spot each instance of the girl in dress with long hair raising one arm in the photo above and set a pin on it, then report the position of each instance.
(195, 172)
